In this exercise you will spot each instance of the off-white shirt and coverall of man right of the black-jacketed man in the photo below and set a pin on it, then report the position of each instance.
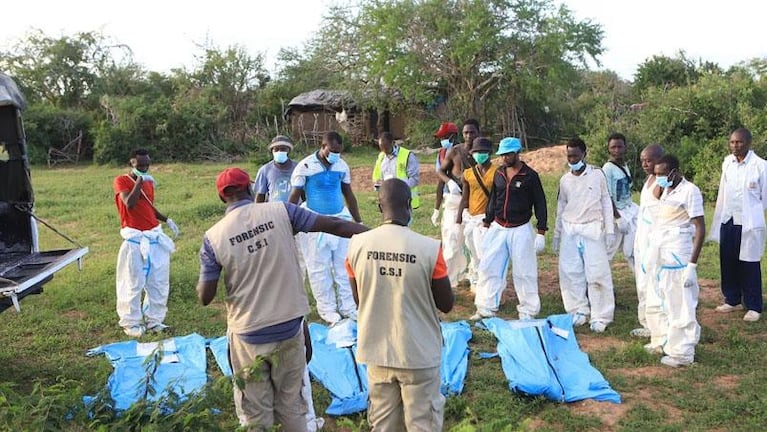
(584, 216)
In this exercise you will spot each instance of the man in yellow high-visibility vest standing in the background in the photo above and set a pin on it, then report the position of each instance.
(397, 162)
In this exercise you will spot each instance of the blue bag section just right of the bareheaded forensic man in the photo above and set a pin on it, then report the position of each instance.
(455, 356)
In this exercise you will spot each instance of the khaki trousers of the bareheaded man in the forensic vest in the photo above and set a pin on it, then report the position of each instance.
(405, 399)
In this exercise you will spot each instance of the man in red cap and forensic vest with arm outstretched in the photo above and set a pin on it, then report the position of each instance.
(265, 298)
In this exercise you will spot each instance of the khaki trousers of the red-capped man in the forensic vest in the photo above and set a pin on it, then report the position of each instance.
(275, 395)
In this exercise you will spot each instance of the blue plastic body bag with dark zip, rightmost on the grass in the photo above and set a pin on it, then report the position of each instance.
(542, 357)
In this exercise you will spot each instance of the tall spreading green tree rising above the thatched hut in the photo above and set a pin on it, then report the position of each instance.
(475, 52)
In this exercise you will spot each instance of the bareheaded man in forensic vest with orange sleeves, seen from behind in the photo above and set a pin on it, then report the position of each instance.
(399, 280)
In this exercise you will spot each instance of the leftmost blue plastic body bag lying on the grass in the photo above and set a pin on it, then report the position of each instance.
(181, 369)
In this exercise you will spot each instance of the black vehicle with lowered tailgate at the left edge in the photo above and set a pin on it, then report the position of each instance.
(23, 267)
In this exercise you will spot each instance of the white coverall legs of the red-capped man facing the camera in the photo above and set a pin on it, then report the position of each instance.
(452, 239)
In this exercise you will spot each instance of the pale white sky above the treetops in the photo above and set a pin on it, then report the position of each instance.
(166, 34)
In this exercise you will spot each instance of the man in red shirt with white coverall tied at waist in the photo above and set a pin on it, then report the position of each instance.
(143, 263)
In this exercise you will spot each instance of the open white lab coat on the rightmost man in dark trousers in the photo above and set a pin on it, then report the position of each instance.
(754, 204)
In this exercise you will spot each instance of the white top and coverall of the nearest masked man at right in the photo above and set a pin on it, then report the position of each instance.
(670, 306)
